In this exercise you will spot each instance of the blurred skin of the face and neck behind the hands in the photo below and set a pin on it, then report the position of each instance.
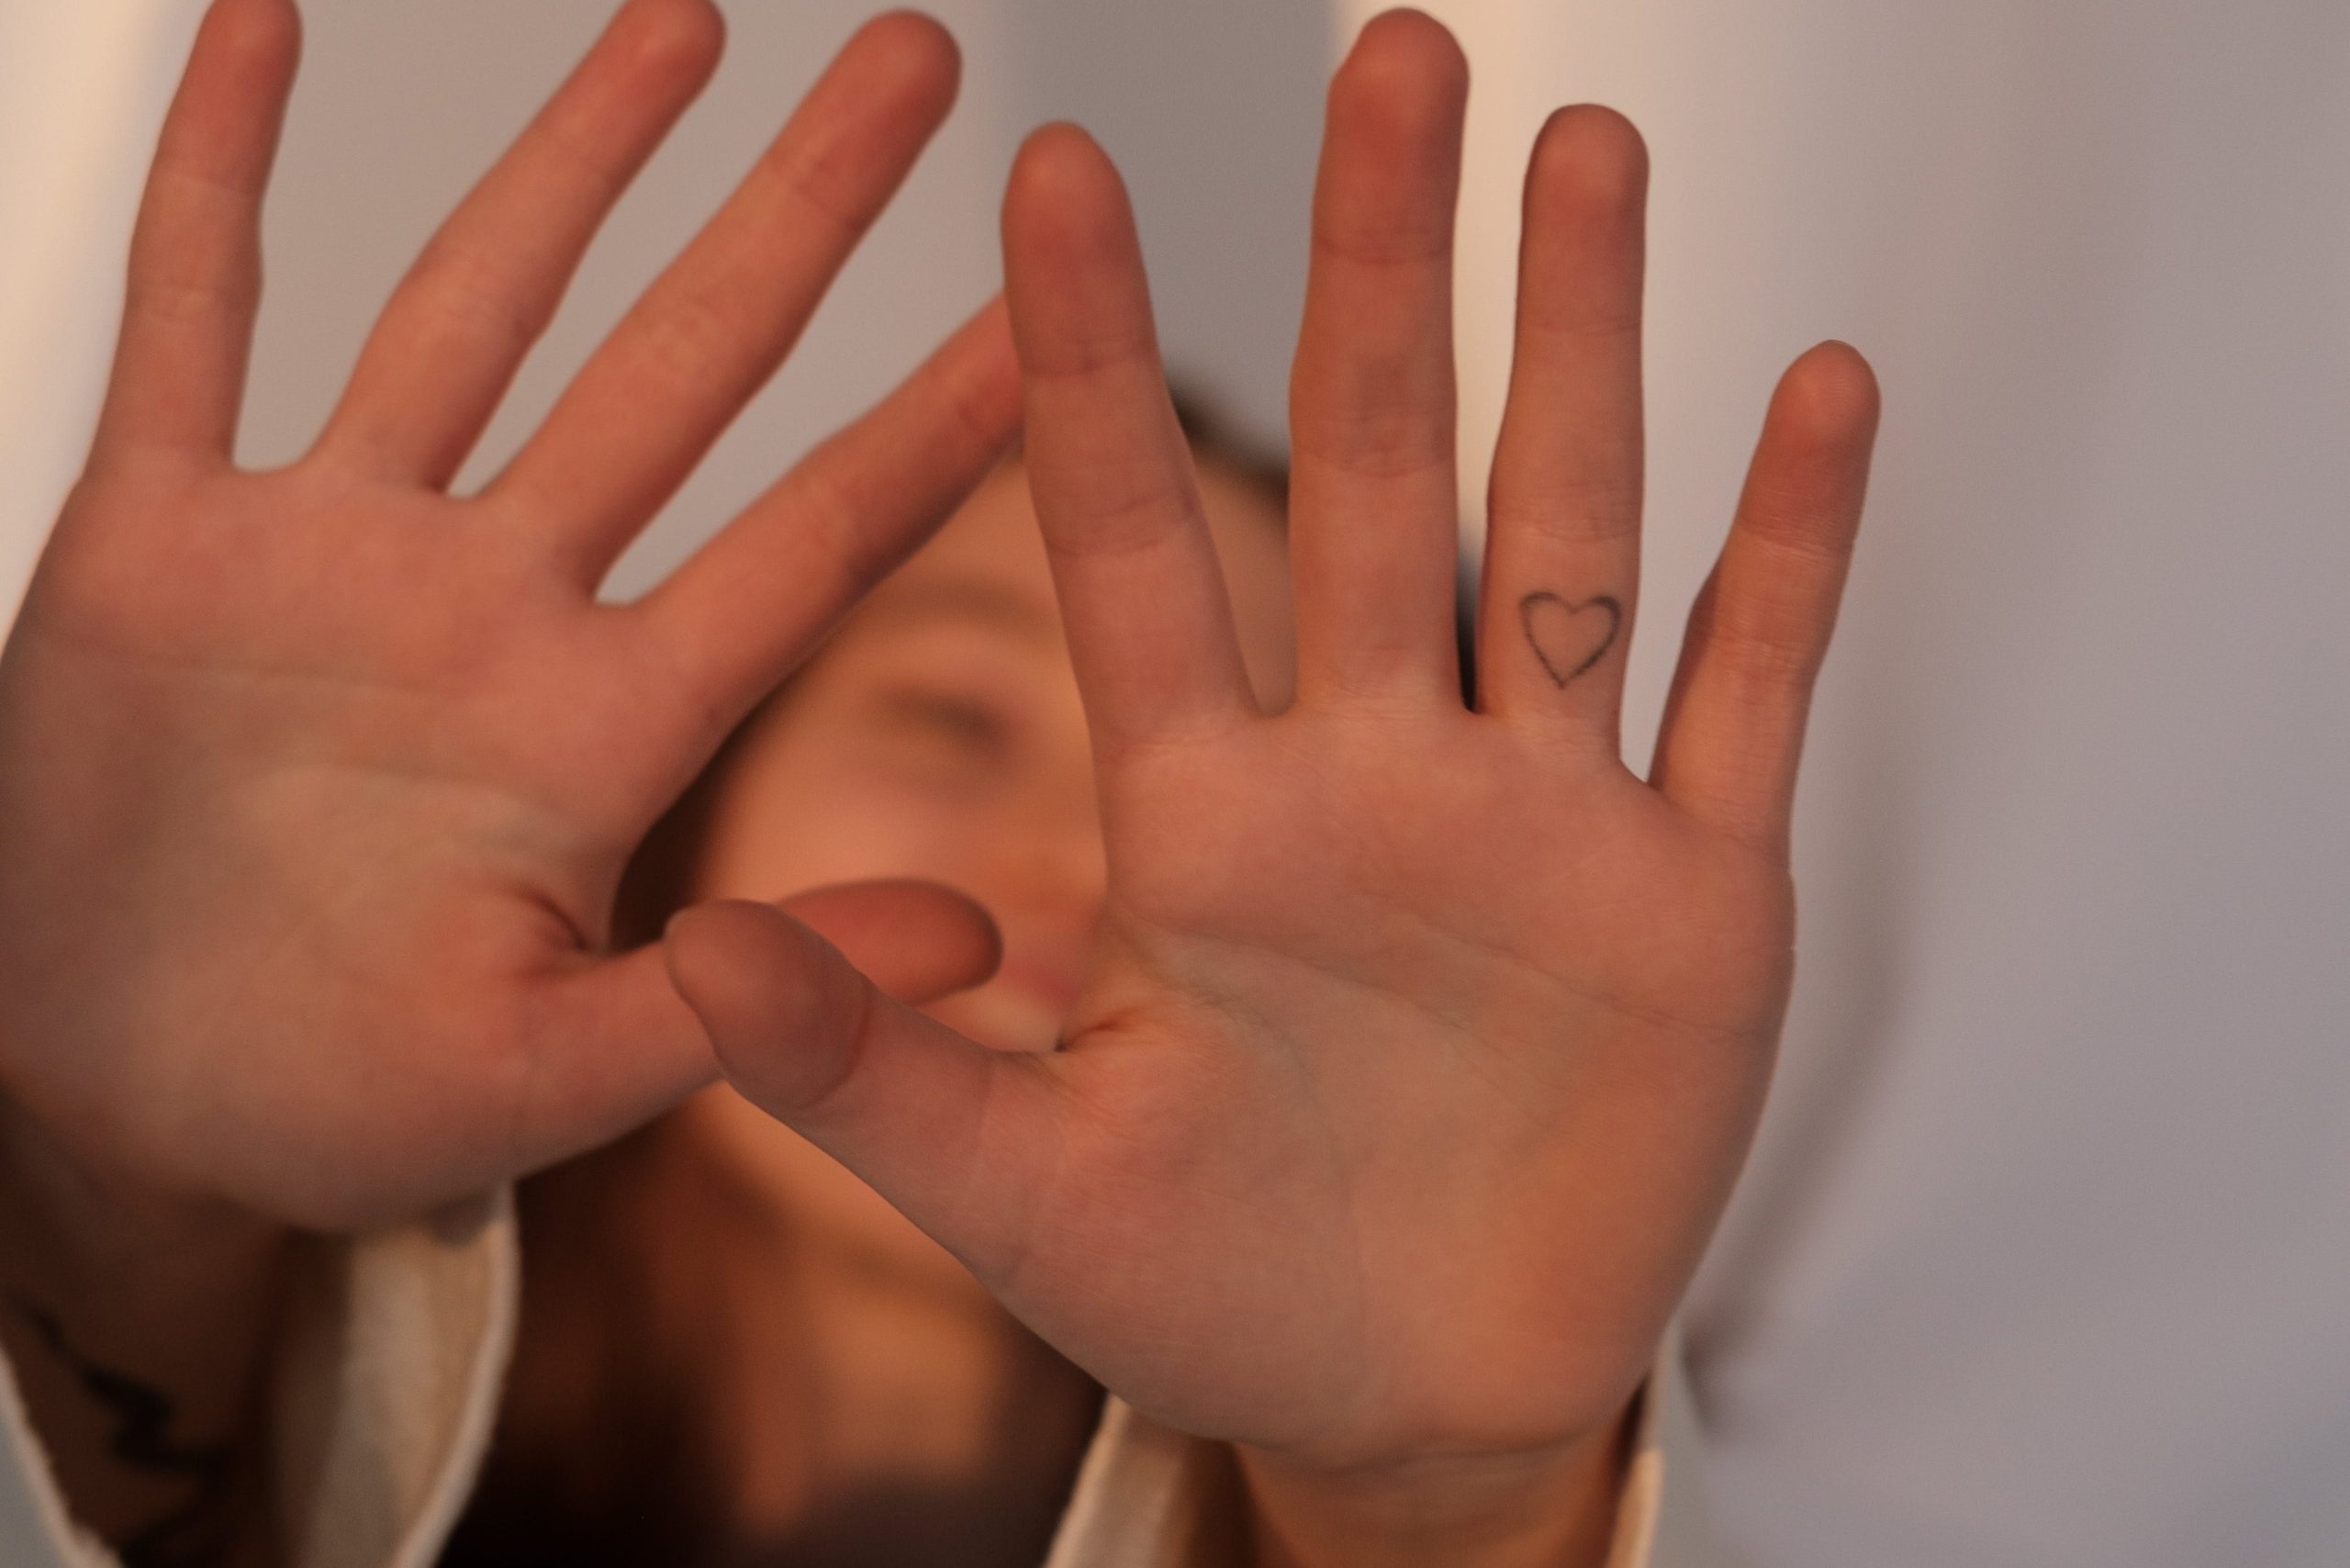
(939, 735)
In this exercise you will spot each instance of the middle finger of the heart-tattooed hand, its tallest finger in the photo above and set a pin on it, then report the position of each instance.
(1374, 504)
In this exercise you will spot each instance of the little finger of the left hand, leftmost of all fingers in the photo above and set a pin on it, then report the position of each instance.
(196, 253)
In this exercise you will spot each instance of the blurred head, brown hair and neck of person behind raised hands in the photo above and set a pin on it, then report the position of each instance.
(732, 1351)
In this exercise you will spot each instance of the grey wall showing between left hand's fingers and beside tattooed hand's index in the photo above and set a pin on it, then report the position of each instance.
(1211, 107)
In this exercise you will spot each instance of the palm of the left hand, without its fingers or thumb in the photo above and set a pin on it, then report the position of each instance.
(356, 784)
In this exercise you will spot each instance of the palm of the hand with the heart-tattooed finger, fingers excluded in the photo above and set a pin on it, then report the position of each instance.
(1404, 1045)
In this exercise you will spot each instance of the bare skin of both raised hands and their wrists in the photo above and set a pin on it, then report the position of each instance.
(1418, 1052)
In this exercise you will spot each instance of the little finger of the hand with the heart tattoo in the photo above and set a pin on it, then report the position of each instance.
(1733, 728)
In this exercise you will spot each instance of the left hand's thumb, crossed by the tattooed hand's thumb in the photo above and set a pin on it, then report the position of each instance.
(622, 1047)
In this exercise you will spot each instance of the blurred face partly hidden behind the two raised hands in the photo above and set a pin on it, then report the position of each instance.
(941, 737)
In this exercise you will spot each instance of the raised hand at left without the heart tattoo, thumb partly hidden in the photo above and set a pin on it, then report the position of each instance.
(316, 784)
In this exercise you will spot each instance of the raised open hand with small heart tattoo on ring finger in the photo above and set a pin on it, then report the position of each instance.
(1423, 1043)
